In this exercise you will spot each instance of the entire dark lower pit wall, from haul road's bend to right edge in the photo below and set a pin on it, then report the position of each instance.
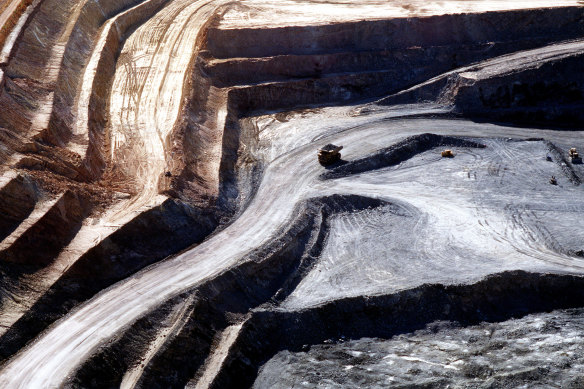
(277, 268)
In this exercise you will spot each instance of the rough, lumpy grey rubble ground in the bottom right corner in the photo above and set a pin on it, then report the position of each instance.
(538, 351)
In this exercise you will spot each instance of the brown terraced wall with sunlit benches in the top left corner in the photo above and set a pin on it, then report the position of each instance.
(96, 34)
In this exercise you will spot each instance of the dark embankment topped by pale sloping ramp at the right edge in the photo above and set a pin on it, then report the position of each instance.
(536, 86)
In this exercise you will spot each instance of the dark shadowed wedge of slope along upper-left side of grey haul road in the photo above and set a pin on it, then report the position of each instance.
(150, 237)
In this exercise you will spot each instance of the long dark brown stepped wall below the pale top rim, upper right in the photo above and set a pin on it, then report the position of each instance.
(276, 69)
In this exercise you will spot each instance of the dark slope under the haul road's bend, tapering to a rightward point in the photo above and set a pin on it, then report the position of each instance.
(266, 276)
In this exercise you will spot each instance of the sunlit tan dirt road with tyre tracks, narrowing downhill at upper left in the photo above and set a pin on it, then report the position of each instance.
(147, 93)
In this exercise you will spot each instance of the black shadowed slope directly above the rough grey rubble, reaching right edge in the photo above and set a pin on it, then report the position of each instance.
(494, 299)
